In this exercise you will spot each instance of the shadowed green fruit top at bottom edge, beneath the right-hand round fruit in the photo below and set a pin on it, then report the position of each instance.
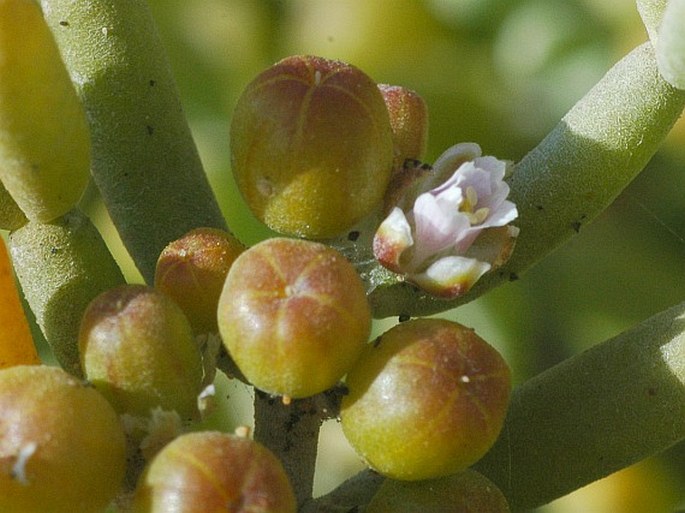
(465, 492)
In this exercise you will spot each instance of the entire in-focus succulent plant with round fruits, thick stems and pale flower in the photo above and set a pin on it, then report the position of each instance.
(85, 88)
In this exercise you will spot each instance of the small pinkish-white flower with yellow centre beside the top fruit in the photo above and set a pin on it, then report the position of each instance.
(451, 226)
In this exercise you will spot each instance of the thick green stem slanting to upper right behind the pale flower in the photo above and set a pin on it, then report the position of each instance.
(599, 146)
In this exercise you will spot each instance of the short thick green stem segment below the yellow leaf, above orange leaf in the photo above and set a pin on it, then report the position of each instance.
(62, 266)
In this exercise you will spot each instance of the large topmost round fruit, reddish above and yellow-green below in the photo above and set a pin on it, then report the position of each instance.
(311, 146)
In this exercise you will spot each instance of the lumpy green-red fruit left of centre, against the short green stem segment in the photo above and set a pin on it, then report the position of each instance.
(138, 350)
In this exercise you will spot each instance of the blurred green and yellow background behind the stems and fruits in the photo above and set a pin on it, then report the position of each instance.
(497, 72)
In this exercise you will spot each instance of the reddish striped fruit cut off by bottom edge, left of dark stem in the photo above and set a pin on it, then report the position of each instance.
(210, 471)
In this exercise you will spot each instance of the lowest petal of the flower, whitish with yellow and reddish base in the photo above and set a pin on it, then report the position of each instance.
(450, 276)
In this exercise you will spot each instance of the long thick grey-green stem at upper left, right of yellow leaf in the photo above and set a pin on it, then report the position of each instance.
(144, 160)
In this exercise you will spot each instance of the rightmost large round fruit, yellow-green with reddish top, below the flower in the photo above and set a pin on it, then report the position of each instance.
(427, 399)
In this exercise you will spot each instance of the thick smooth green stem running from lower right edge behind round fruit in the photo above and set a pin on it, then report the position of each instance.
(593, 414)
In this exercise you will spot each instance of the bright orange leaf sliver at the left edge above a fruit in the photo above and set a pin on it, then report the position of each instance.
(16, 342)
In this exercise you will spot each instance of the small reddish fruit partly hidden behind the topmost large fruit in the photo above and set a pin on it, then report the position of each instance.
(409, 121)
